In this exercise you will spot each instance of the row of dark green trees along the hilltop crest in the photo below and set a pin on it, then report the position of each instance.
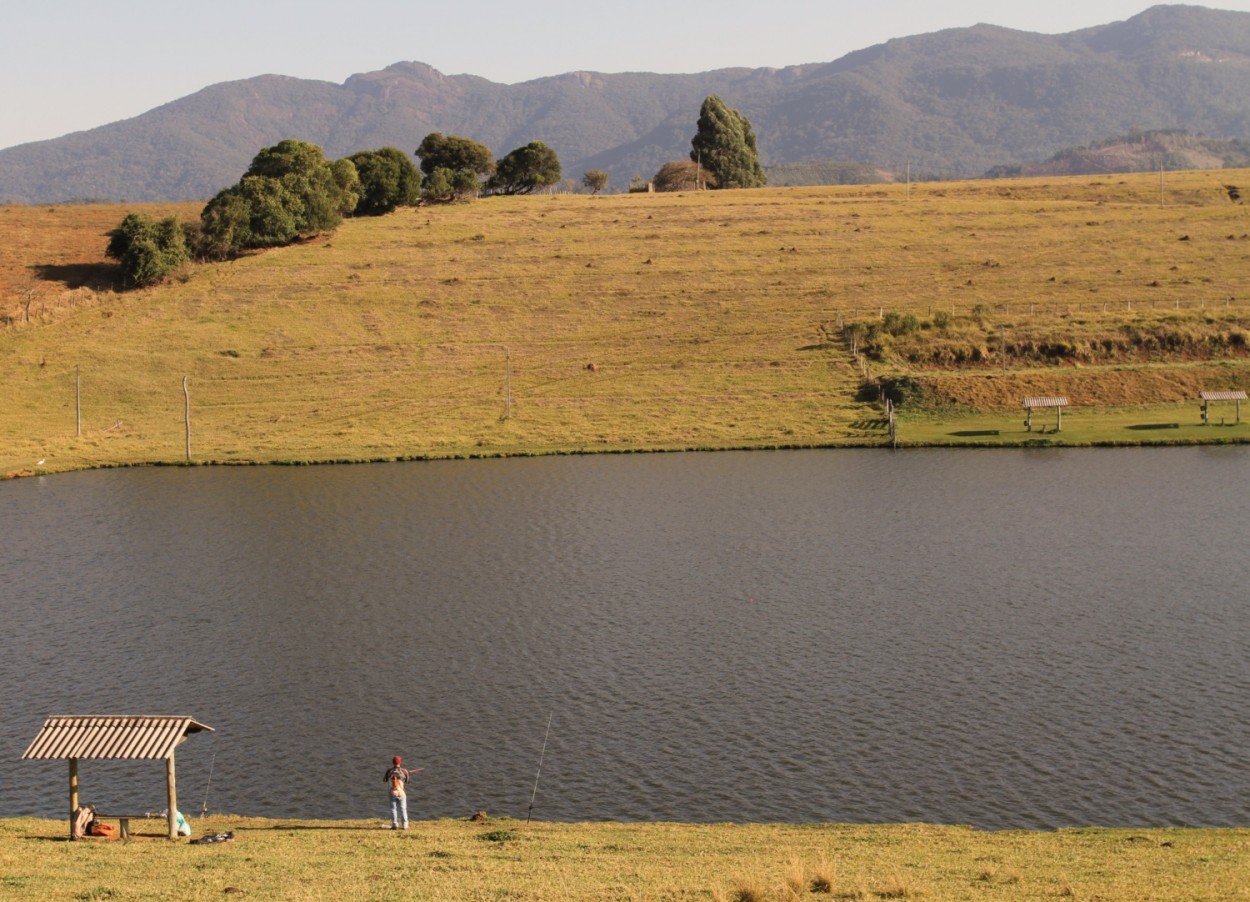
(292, 192)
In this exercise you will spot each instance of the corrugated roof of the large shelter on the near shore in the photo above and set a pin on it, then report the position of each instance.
(122, 736)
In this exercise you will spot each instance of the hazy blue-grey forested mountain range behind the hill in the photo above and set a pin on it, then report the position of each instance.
(953, 103)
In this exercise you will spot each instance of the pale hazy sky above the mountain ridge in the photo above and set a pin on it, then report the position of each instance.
(71, 66)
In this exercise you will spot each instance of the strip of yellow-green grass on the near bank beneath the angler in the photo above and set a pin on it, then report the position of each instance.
(502, 859)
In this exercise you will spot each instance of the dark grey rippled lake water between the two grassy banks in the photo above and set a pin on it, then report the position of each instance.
(1006, 639)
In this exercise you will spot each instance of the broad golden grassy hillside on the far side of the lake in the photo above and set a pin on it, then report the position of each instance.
(566, 324)
